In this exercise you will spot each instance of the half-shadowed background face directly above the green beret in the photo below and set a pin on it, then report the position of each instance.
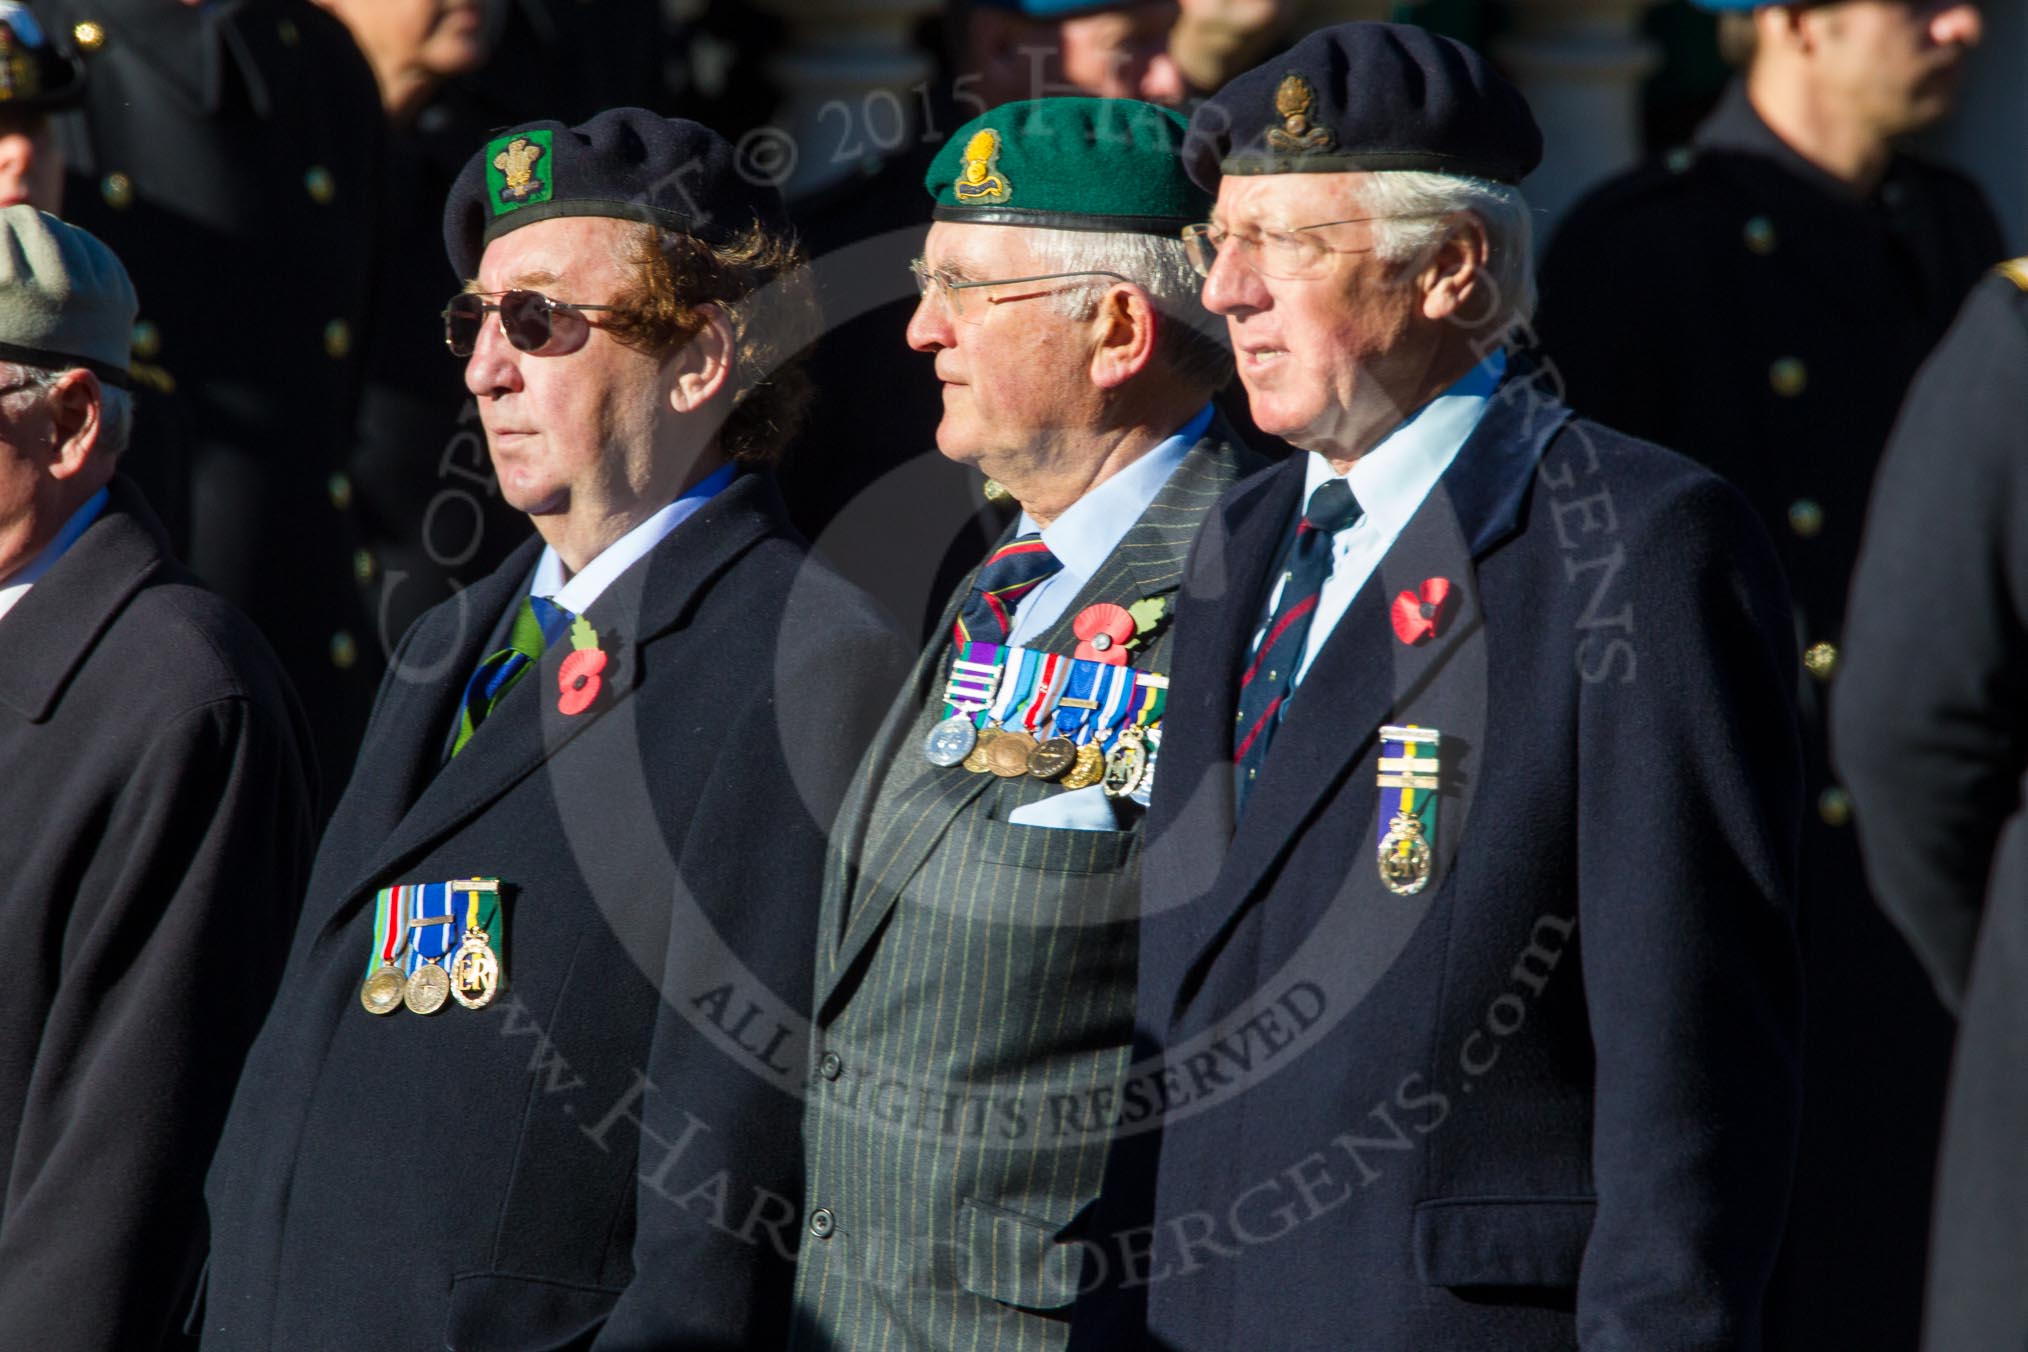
(1118, 54)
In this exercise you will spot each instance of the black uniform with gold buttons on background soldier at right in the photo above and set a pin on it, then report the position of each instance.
(1739, 305)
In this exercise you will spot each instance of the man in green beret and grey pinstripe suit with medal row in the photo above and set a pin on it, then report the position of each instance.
(981, 917)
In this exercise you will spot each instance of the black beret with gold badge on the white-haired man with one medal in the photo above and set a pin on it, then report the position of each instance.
(1360, 98)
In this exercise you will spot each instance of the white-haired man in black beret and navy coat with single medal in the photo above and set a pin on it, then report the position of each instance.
(1467, 909)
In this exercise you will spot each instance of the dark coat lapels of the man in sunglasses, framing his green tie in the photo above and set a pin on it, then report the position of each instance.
(528, 729)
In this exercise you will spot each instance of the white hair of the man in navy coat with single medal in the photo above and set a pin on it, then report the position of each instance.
(1417, 212)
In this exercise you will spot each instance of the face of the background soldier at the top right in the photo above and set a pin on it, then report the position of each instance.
(1891, 64)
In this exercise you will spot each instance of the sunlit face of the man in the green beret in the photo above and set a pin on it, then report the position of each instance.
(1015, 372)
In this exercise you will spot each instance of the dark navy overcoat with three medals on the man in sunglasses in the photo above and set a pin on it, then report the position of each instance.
(494, 1181)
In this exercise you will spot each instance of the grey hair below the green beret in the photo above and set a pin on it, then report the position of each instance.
(1189, 340)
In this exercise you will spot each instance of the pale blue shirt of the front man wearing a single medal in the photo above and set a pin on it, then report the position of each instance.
(1390, 483)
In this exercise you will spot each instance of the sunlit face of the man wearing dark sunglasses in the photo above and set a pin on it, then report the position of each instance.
(573, 437)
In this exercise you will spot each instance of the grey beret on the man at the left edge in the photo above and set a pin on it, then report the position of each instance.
(66, 299)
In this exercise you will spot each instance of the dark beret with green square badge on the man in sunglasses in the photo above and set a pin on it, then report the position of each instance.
(626, 163)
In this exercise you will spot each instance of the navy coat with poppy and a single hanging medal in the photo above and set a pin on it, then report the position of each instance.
(1552, 1098)
